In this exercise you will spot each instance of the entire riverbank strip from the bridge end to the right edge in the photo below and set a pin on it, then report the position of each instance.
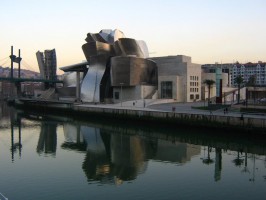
(167, 114)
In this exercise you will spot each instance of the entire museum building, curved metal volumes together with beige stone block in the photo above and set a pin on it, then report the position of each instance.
(120, 69)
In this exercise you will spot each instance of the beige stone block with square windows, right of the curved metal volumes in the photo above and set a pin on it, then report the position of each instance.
(178, 78)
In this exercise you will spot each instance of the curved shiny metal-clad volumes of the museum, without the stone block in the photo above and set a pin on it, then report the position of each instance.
(114, 59)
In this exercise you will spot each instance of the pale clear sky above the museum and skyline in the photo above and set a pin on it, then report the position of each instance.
(208, 31)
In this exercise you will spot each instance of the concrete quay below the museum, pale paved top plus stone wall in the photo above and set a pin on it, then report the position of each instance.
(183, 113)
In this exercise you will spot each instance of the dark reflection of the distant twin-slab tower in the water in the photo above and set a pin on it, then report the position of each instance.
(48, 138)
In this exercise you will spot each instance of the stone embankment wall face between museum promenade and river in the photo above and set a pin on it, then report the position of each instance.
(203, 120)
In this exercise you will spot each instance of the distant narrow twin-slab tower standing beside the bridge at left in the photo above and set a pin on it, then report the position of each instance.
(47, 64)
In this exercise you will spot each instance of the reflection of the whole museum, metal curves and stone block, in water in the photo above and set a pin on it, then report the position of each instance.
(114, 157)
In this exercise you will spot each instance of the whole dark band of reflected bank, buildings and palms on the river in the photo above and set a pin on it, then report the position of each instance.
(114, 154)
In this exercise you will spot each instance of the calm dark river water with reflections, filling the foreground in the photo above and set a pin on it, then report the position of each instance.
(59, 158)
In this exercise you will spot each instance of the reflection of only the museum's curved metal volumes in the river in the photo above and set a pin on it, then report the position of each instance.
(110, 157)
